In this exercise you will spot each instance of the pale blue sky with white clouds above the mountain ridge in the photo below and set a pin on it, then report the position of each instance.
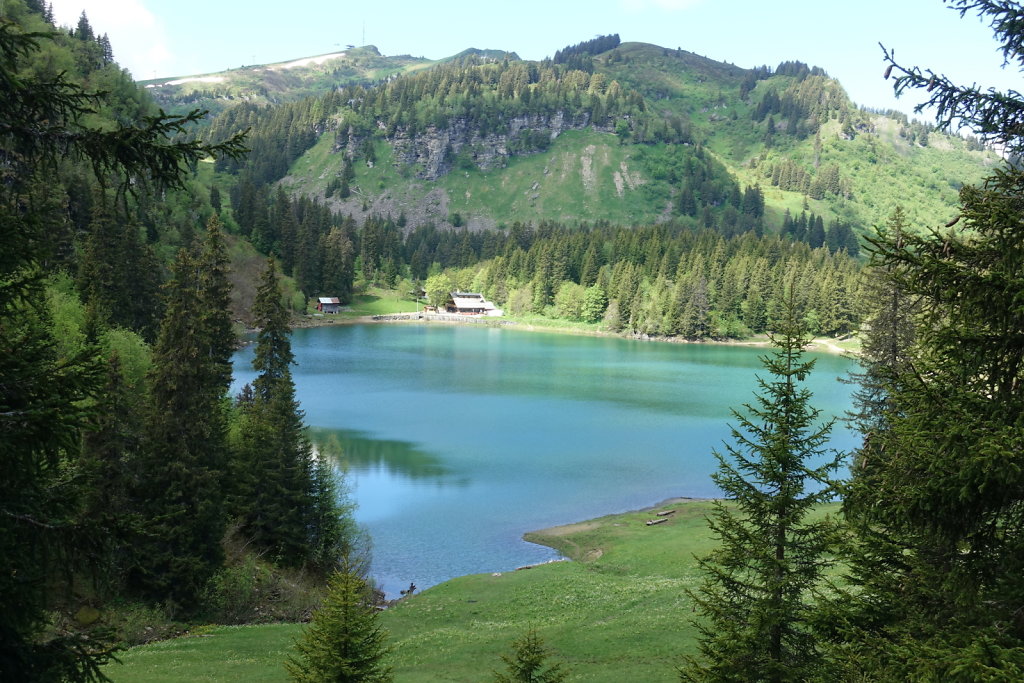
(158, 38)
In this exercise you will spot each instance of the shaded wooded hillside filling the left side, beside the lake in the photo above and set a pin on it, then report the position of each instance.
(134, 493)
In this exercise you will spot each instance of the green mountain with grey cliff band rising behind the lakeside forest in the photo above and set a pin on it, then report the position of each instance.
(464, 141)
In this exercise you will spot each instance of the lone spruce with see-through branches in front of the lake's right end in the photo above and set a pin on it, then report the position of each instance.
(755, 601)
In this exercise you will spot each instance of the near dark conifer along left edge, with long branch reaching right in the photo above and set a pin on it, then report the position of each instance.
(48, 400)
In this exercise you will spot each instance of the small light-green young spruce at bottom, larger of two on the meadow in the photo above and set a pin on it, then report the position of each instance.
(345, 644)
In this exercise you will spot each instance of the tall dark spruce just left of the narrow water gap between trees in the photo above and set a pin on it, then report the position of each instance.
(181, 492)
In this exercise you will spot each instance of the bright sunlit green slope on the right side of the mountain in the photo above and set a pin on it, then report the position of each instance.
(884, 168)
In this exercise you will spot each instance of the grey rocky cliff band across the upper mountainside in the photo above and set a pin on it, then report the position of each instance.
(439, 151)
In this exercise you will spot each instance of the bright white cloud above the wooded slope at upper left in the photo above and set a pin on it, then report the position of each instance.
(137, 35)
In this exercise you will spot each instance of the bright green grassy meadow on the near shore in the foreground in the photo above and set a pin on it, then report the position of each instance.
(619, 613)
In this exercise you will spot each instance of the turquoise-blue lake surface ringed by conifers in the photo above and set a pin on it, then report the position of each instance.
(460, 439)
